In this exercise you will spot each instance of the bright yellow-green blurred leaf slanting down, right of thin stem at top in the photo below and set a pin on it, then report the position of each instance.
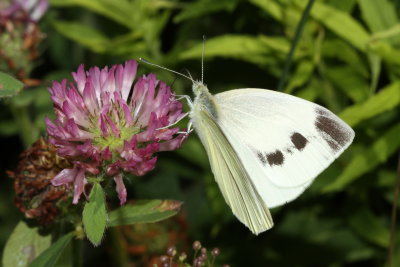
(340, 23)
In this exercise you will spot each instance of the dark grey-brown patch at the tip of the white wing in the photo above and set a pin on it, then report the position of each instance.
(331, 130)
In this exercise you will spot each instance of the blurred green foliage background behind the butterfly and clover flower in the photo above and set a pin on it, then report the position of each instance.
(347, 59)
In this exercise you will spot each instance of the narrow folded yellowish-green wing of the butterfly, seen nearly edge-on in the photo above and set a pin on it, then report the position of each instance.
(233, 180)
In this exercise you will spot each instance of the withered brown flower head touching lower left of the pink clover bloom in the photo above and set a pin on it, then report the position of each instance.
(35, 195)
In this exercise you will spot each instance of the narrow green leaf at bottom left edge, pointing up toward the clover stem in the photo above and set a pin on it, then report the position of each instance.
(50, 256)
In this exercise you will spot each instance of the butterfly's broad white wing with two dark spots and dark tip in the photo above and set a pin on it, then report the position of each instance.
(283, 141)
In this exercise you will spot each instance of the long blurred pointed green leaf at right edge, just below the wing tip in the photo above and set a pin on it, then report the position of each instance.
(368, 159)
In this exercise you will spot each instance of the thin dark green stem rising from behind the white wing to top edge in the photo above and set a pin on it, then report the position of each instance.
(296, 39)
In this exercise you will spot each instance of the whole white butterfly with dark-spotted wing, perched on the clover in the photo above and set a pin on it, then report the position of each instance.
(265, 148)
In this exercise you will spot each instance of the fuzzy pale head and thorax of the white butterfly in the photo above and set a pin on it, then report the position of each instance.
(204, 101)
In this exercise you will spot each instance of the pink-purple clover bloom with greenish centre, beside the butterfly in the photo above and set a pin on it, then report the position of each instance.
(107, 126)
